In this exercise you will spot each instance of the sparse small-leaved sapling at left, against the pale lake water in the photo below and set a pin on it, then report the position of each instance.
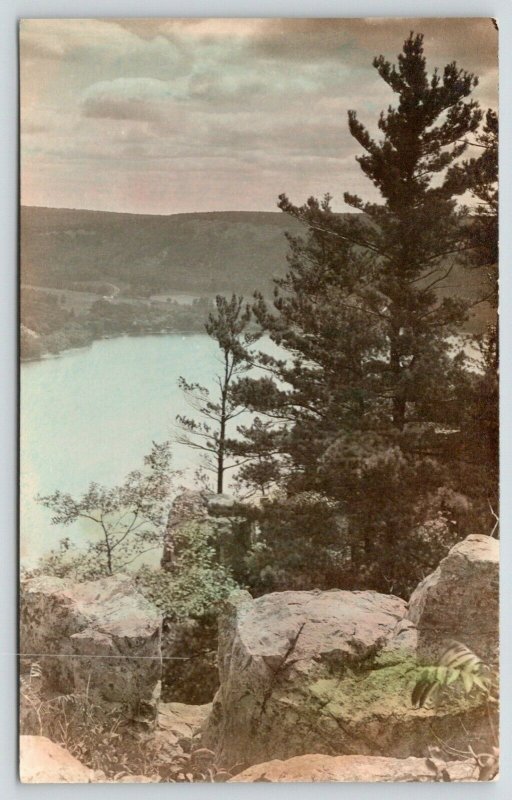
(130, 518)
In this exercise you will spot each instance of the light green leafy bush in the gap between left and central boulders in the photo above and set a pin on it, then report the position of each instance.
(196, 584)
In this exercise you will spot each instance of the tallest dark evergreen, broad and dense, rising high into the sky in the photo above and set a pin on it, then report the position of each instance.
(362, 319)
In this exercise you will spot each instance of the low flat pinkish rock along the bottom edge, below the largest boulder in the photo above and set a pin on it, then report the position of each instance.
(322, 769)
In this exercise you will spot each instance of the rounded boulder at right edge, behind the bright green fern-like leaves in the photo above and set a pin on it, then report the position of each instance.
(460, 601)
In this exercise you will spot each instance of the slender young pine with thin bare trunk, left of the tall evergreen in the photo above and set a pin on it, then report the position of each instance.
(228, 327)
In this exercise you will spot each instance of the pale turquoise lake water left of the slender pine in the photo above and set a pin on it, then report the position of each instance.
(92, 414)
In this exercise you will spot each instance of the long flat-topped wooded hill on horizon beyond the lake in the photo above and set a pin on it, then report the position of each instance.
(197, 253)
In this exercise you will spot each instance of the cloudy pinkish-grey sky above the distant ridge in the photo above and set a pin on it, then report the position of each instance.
(170, 116)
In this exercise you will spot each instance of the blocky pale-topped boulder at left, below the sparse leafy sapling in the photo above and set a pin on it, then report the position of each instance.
(102, 637)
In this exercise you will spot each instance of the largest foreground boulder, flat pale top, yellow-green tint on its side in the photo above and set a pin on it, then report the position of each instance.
(324, 672)
